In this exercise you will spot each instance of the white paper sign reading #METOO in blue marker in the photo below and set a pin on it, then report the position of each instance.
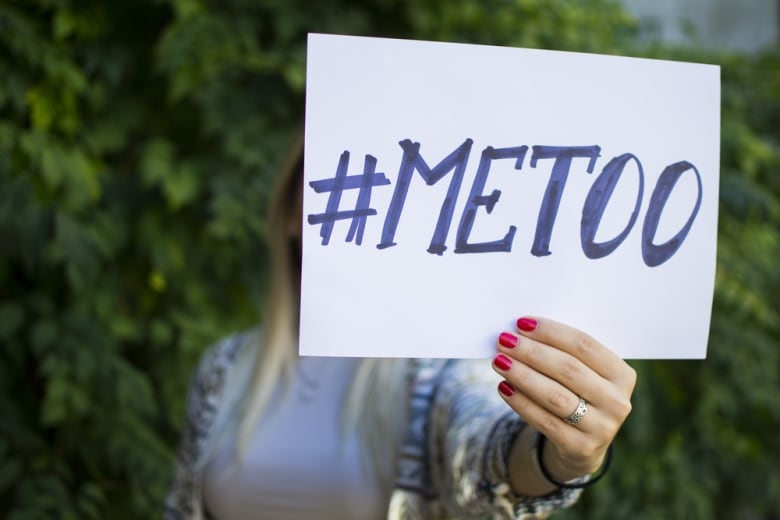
(450, 189)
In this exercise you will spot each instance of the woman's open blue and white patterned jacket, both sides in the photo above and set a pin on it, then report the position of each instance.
(452, 463)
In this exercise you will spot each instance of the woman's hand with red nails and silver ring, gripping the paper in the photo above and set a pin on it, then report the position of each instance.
(548, 367)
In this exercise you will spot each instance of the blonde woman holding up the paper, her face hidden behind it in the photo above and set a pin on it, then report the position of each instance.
(272, 435)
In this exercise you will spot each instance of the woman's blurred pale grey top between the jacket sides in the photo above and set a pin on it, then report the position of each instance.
(297, 464)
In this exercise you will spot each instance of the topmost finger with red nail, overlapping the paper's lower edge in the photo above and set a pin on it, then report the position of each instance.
(575, 342)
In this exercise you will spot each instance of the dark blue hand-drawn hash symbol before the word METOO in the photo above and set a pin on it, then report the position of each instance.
(336, 186)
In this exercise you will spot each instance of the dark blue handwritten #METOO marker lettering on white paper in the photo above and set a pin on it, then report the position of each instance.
(455, 163)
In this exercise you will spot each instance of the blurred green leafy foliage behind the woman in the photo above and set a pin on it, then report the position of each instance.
(138, 140)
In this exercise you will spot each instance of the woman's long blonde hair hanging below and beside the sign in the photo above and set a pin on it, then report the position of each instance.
(376, 406)
